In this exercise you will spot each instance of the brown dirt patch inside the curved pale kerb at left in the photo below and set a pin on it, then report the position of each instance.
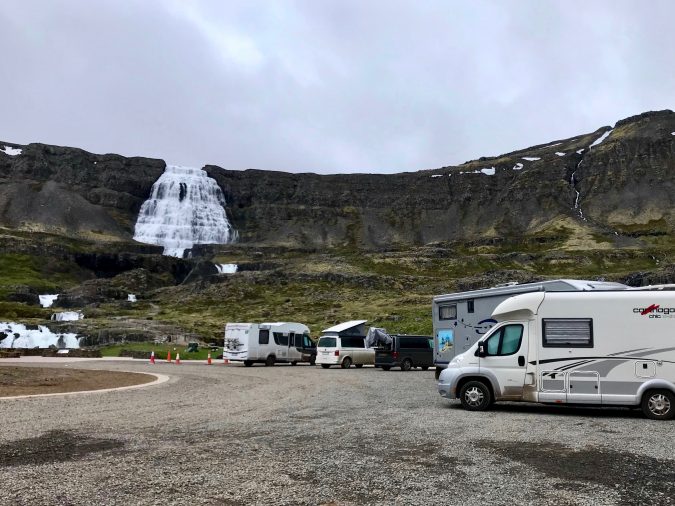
(43, 380)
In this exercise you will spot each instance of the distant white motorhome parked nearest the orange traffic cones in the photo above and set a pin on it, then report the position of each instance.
(267, 343)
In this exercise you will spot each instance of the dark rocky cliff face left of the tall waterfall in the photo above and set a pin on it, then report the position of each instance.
(72, 192)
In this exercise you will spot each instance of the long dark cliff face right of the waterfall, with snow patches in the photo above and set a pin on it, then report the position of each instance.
(623, 183)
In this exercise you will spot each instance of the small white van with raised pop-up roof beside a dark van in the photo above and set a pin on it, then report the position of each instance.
(344, 345)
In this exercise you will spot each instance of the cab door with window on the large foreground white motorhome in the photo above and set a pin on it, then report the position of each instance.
(506, 359)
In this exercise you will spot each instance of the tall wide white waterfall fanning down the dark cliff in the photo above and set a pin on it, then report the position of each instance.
(186, 207)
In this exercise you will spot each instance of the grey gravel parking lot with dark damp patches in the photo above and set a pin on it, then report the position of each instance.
(228, 435)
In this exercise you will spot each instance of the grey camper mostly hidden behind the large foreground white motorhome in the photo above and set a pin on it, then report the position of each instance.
(460, 319)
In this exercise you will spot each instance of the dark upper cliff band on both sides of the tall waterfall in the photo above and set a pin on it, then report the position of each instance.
(622, 185)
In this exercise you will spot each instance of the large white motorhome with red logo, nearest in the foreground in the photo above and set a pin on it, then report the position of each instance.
(602, 348)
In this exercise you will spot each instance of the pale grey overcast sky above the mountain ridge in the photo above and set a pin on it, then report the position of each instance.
(327, 86)
